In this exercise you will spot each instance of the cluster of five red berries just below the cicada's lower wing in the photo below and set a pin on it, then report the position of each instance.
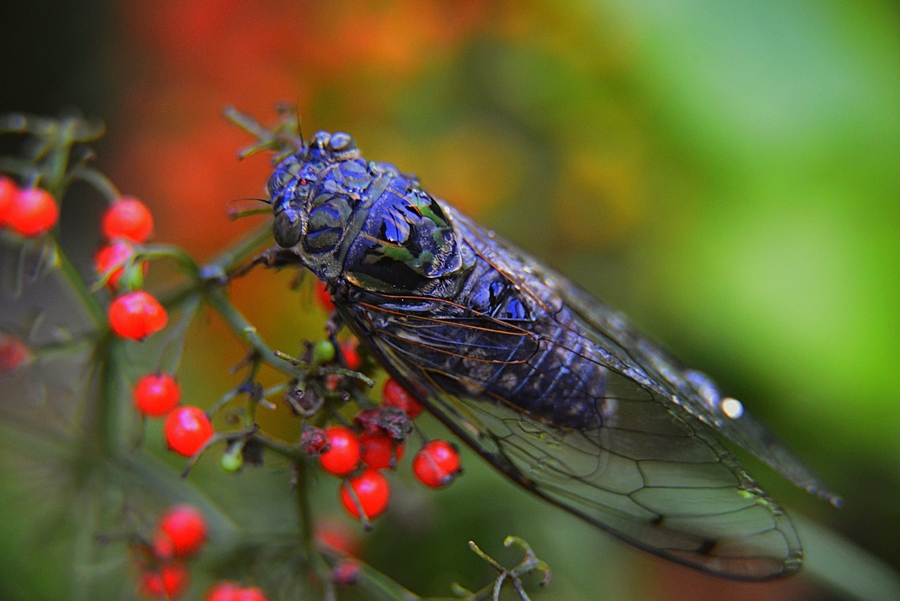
(363, 457)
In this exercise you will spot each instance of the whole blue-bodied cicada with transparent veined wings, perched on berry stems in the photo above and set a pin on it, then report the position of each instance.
(556, 390)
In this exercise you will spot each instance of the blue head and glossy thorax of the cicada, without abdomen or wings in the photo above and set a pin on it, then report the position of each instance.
(362, 220)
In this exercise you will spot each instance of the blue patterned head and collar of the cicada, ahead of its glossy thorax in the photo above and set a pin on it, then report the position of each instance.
(318, 197)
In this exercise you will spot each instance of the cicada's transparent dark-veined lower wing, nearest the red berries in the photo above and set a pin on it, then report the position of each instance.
(649, 473)
